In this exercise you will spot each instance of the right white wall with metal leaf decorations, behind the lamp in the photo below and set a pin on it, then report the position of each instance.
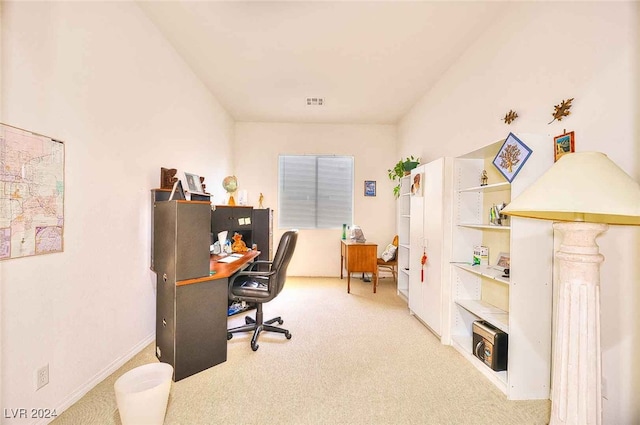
(537, 55)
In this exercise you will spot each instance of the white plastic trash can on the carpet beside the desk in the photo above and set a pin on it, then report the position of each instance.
(142, 394)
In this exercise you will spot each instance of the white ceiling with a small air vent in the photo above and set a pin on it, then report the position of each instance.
(370, 61)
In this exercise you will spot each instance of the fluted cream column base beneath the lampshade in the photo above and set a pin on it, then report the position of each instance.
(576, 380)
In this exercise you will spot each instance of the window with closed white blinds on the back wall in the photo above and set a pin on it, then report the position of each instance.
(315, 191)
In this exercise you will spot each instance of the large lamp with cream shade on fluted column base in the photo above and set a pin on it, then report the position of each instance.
(584, 193)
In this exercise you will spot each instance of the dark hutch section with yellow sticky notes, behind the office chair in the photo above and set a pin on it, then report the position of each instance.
(254, 224)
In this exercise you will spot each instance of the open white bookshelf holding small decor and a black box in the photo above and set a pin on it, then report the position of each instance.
(519, 305)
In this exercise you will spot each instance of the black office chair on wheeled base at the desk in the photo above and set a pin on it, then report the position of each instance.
(255, 286)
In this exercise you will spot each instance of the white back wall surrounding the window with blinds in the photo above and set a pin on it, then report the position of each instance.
(374, 150)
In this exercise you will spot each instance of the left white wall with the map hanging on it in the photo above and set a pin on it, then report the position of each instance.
(101, 78)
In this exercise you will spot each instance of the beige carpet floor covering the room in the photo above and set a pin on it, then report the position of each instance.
(357, 358)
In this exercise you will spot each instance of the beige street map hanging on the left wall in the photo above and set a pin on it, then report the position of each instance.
(31, 193)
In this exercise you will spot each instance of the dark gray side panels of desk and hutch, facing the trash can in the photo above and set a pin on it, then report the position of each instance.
(191, 305)
